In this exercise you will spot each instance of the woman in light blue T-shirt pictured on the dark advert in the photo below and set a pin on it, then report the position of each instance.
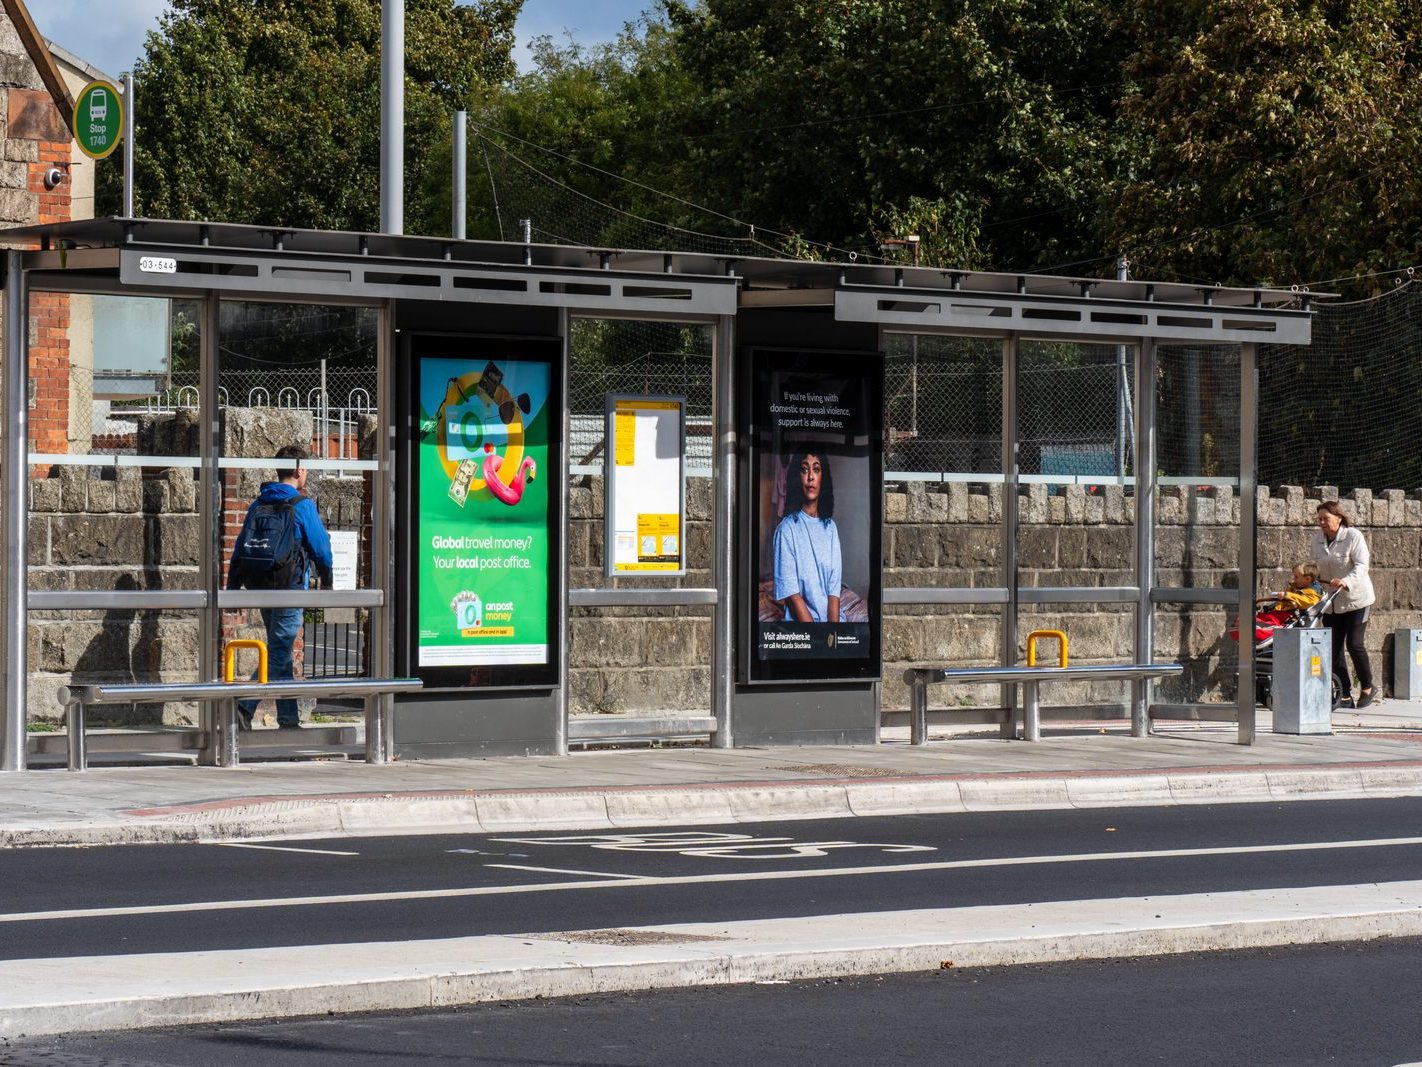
(808, 561)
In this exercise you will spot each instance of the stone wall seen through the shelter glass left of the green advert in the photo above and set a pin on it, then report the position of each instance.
(129, 529)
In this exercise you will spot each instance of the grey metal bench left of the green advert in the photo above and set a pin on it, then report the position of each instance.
(220, 701)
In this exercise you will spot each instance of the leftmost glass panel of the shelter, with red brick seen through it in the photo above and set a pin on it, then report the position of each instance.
(113, 509)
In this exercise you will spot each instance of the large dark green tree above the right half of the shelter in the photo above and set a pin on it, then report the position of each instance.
(983, 126)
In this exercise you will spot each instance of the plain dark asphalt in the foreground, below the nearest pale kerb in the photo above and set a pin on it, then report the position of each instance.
(1300, 1007)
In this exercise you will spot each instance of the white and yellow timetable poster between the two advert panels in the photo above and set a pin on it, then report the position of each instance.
(645, 486)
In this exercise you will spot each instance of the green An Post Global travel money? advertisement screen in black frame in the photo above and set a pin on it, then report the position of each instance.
(484, 531)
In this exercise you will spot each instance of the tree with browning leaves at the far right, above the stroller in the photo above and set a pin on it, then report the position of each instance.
(1276, 140)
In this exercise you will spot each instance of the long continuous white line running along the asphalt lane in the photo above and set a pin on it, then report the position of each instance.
(636, 881)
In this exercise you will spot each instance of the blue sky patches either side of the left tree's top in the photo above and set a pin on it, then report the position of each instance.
(110, 33)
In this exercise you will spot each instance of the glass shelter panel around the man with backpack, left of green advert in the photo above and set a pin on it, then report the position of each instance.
(308, 376)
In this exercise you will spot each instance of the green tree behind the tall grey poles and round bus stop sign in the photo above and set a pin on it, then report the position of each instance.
(268, 112)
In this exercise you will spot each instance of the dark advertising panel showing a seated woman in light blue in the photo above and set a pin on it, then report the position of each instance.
(816, 483)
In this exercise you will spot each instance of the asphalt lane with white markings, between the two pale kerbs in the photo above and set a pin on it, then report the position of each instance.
(181, 898)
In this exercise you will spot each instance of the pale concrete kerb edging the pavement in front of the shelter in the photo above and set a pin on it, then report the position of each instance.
(614, 809)
